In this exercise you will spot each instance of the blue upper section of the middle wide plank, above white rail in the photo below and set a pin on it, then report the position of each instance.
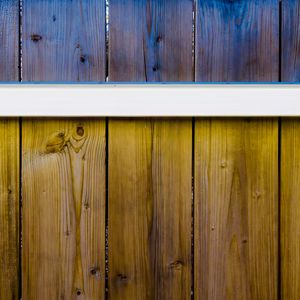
(150, 40)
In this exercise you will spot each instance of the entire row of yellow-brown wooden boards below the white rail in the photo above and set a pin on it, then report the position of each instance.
(150, 208)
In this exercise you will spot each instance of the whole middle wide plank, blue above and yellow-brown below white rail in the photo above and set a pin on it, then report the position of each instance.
(150, 164)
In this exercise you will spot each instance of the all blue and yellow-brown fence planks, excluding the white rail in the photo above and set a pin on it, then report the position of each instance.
(150, 208)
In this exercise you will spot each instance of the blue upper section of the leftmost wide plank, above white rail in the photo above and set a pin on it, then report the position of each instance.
(63, 40)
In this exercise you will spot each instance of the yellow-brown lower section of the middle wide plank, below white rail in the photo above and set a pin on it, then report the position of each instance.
(150, 209)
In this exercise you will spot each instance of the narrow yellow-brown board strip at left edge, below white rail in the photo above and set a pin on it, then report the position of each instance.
(9, 209)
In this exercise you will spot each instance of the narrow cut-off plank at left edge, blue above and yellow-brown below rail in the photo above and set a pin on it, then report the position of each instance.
(9, 157)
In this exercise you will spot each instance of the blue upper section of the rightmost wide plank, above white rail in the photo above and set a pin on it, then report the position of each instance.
(237, 40)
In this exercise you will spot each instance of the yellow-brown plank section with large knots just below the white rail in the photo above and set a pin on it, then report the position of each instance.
(63, 209)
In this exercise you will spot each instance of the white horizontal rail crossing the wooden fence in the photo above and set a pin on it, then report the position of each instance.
(149, 100)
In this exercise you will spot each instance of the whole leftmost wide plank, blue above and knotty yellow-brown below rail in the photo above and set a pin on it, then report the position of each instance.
(64, 191)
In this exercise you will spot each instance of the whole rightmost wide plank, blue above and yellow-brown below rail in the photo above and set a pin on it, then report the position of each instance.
(236, 173)
